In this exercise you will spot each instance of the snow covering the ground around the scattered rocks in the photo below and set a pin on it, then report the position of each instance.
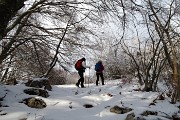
(66, 103)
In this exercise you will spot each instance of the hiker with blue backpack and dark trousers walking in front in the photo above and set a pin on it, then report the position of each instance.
(99, 72)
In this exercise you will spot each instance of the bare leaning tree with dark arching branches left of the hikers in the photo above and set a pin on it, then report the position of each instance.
(61, 26)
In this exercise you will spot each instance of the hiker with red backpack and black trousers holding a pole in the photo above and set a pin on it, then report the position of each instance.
(80, 67)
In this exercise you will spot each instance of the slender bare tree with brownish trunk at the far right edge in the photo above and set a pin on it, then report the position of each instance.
(164, 27)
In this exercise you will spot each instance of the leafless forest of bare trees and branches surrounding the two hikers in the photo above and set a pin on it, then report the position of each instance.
(44, 38)
